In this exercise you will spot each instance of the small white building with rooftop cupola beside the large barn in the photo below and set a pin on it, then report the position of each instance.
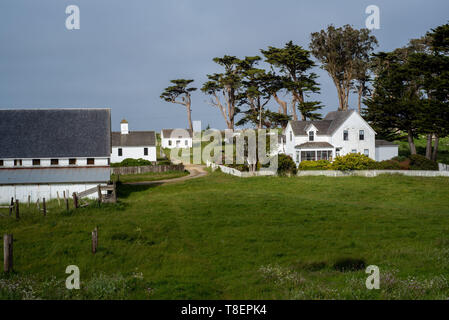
(133, 144)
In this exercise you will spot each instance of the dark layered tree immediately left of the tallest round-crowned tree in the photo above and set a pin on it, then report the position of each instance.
(294, 64)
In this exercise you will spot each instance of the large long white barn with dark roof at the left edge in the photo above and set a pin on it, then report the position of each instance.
(49, 152)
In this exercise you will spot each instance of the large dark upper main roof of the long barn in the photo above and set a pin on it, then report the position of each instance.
(59, 133)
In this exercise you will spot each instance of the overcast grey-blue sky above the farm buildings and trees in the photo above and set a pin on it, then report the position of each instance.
(127, 51)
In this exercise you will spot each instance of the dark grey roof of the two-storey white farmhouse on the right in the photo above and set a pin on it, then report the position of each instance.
(327, 126)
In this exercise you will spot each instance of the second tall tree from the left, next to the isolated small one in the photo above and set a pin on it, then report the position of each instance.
(225, 87)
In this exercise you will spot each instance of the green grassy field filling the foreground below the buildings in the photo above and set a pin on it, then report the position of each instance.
(222, 237)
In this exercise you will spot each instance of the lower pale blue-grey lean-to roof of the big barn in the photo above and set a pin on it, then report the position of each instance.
(55, 175)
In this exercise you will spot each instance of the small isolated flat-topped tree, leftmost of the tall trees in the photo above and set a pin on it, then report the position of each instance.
(180, 90)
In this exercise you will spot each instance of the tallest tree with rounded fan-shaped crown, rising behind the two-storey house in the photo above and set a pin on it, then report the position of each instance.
(342, 51)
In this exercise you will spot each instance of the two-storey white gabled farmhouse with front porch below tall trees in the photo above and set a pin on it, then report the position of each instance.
(339, 133)
